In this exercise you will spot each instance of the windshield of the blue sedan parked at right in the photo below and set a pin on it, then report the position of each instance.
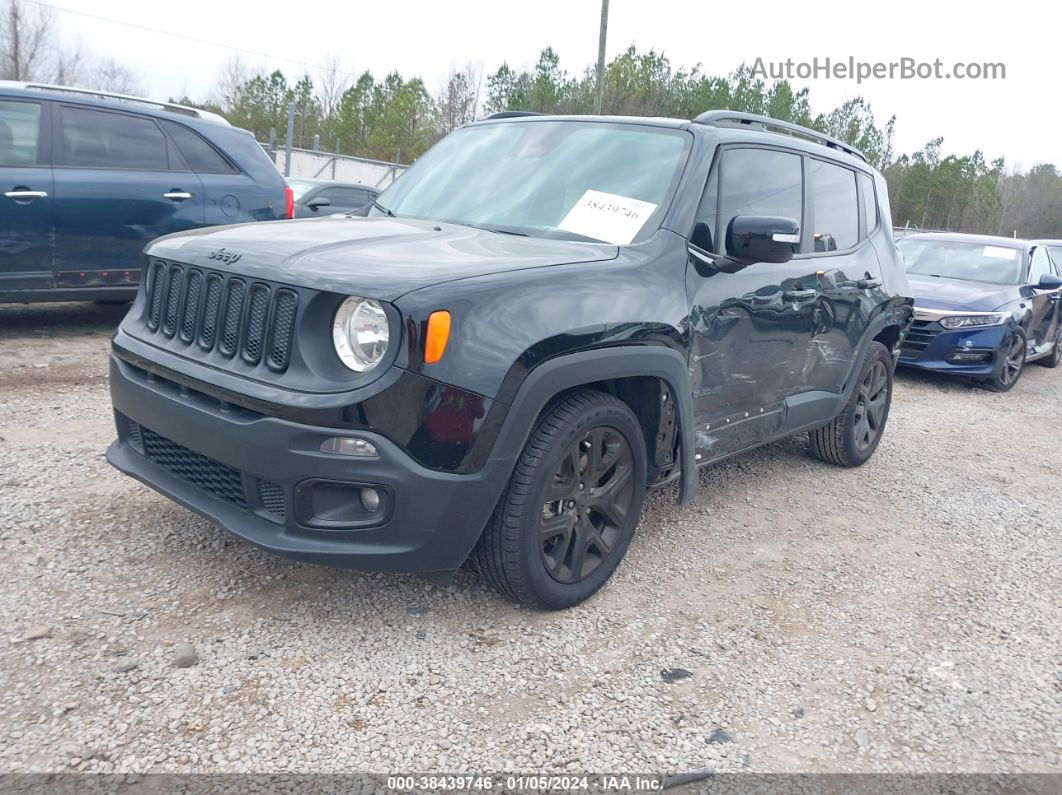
(998, 265)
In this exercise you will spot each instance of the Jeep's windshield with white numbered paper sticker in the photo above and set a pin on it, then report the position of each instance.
(580, 181)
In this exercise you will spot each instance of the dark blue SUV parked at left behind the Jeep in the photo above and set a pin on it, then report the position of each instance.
(89, 179)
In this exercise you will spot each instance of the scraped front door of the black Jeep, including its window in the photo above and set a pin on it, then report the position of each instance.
(752, 330)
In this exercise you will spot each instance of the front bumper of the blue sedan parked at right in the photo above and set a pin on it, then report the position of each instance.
(931, 347)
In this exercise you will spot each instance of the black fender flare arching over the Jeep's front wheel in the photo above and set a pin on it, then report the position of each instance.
(587, 367)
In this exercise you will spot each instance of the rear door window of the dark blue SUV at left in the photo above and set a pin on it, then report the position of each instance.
(101, 140)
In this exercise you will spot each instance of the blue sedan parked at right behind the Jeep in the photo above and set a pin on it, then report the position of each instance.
(984, 306)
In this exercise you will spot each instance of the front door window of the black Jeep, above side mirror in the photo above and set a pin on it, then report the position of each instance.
(762, 183)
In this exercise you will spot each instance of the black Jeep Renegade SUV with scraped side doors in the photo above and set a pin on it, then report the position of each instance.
(541, 320)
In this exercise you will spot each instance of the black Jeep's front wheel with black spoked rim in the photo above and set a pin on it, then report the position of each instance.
(569, 514)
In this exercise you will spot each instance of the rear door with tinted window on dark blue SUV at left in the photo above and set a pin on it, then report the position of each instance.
(117, 188)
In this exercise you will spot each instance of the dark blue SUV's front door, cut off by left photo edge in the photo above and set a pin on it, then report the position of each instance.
(26, 206)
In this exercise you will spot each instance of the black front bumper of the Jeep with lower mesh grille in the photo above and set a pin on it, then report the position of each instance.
(266, 480)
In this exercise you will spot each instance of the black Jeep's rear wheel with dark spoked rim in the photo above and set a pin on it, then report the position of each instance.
(853, 436)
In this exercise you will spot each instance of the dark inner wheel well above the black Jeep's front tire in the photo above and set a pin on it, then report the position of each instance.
(654, 403)
